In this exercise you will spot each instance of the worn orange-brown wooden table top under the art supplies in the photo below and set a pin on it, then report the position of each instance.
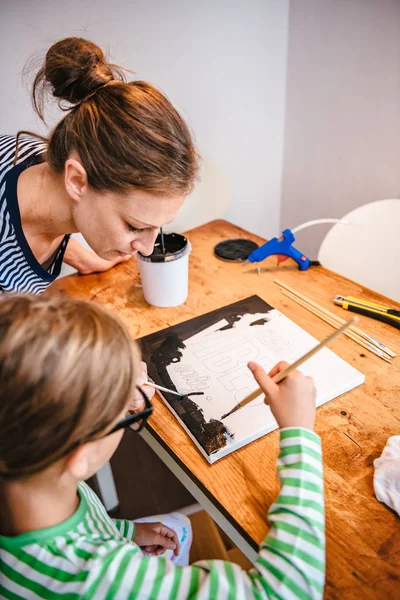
(363, 536)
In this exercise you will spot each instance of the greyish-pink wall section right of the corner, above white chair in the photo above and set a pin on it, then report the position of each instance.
(342, 130)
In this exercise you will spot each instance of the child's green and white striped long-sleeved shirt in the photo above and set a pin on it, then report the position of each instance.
(87, 556)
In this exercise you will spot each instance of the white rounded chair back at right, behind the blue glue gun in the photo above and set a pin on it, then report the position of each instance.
(367, 250)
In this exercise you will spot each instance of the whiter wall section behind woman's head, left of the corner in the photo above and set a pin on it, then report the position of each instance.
(223, 63)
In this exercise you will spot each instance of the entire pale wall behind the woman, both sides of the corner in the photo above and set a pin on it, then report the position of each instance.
(225, 64)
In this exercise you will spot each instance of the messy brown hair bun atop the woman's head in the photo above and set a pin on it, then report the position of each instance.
(74, 68)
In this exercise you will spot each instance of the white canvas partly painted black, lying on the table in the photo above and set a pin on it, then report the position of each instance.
(208, 356)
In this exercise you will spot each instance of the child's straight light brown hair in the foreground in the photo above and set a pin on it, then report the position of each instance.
(67, 370)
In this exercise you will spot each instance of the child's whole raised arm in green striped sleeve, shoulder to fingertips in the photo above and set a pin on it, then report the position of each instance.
(291, 562)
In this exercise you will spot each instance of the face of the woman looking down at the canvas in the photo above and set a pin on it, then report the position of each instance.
(119, 224)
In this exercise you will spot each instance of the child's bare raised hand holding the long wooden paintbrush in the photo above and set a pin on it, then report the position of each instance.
(292, 401)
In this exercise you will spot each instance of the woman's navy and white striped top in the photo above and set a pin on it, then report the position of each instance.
(20, 272)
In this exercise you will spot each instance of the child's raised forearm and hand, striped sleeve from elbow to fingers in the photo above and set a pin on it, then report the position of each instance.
(295, 544)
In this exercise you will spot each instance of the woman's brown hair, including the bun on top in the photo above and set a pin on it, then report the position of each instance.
(127, 135)
